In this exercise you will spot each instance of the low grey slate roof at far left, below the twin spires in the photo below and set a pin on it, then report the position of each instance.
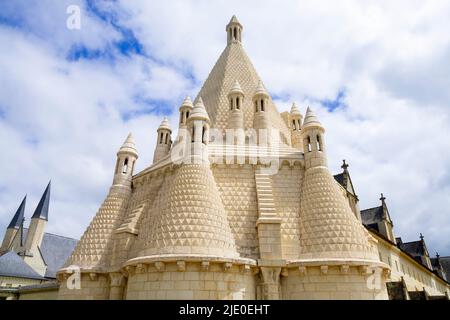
(11, 265)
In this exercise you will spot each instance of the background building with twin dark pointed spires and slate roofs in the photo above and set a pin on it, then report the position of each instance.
(30, 257)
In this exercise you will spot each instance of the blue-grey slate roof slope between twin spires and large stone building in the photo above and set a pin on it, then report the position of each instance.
(55, 251)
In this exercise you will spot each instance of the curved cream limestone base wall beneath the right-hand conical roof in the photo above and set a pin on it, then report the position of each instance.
(313, 284)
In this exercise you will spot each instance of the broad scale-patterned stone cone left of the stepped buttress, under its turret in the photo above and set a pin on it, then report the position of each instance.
(188, 218)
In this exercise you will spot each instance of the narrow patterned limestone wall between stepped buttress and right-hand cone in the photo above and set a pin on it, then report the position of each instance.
(286, 187)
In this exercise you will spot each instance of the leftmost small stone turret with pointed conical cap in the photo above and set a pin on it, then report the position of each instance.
(126, 158)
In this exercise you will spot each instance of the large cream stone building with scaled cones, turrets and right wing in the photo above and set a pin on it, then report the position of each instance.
(240, 204)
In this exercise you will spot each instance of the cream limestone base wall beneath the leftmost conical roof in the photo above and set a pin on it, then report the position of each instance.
(92, 287)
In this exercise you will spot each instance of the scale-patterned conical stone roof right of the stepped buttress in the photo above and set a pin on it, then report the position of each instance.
(328, 227)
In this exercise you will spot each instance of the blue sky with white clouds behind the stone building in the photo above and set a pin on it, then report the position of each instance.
(377, 73)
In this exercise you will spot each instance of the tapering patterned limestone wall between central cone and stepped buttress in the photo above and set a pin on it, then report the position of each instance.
(236, 185)
